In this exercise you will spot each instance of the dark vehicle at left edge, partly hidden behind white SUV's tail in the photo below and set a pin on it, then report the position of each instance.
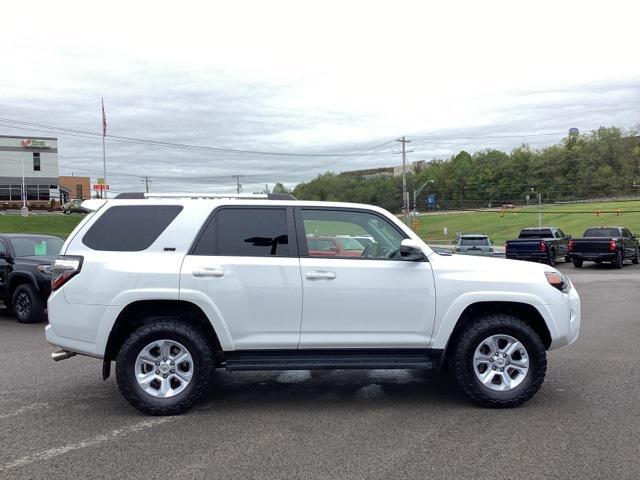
(25, 279)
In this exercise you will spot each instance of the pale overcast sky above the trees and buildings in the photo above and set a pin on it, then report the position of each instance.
(318, 86)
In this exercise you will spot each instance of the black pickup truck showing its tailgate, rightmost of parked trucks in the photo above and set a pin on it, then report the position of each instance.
(604, 244)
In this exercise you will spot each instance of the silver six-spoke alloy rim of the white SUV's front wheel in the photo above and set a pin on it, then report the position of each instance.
(501, 362)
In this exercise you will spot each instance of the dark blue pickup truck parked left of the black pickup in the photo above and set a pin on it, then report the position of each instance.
(539, 244)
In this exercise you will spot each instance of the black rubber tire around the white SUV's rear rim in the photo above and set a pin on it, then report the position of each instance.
(157, 328)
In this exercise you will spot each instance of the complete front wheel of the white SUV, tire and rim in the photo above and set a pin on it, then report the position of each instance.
(499, 361)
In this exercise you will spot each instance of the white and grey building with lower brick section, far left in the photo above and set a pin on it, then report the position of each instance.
(37, 160)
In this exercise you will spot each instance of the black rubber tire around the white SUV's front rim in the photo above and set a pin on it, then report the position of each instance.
(471, 337)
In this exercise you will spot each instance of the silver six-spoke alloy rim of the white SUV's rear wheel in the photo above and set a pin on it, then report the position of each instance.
(164, 368)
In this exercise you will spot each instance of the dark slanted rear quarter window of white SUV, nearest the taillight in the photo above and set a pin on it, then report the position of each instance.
(130, 228)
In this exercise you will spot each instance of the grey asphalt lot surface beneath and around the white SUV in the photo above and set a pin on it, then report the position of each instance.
(60, 421)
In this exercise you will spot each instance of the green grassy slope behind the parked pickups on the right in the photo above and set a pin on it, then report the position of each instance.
(578, 218)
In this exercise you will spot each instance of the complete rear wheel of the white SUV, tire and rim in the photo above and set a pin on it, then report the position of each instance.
(165, 366)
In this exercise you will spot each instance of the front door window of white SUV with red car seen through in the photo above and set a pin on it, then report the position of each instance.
(336, 225)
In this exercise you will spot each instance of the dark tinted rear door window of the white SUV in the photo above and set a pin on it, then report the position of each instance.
(246, 232)
